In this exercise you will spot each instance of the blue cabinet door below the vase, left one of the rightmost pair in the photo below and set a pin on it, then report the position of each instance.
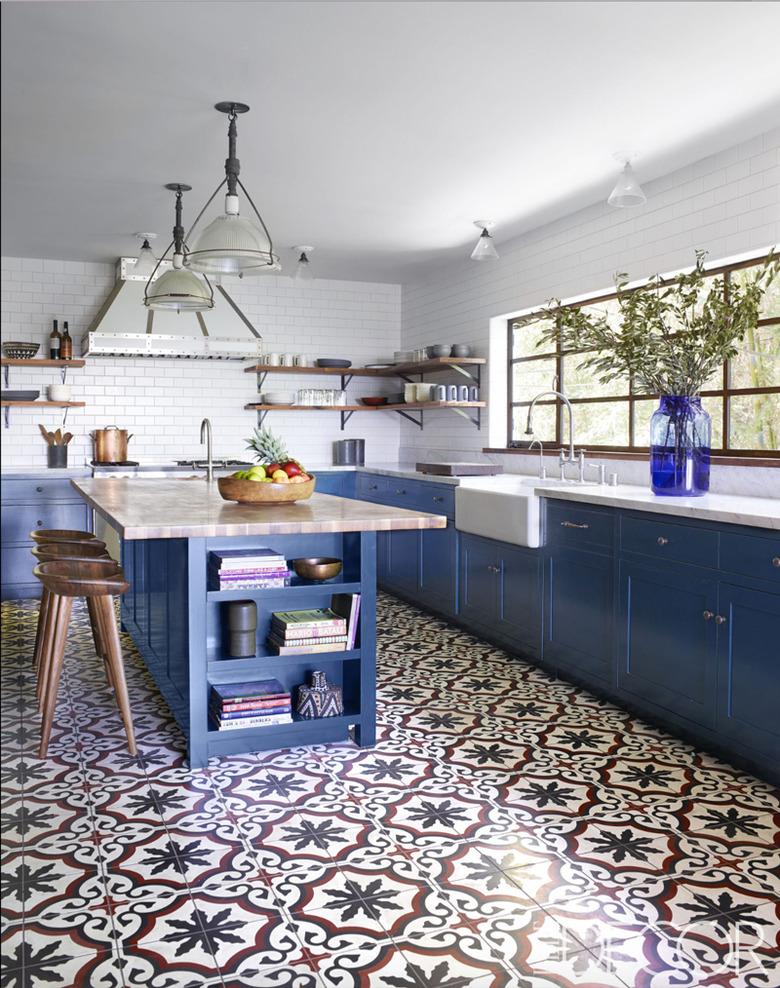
(666, 650)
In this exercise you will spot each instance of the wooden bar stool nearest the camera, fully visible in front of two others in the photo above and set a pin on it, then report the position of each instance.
(99, 579)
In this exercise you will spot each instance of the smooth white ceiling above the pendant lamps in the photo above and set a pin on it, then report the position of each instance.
(378, 131)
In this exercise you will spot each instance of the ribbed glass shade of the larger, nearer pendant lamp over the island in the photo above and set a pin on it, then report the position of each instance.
(232, 244)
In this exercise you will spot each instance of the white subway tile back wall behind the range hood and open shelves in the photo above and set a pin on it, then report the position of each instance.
(162, 401)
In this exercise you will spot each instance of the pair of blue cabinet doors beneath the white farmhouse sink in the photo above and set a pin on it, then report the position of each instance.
(500, 592)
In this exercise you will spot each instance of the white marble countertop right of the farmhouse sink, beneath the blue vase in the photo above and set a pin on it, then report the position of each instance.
(757, 512)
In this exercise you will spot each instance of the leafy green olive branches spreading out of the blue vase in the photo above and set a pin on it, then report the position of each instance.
(672, 336)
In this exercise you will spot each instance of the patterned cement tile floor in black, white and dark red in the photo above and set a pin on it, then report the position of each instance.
(508, 829)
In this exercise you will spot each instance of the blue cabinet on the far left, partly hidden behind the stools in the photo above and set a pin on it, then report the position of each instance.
(27, 504)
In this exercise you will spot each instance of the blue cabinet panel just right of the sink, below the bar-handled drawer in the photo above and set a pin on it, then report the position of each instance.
(578, 625)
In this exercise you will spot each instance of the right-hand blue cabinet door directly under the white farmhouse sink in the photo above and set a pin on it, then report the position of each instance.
(519, 598)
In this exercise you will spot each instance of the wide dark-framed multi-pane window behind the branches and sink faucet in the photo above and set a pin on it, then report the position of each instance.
(743, 397)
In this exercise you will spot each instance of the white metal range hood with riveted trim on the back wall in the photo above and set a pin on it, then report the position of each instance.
(124, 327)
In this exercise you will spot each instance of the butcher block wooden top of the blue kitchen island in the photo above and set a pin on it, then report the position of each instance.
(183, 509)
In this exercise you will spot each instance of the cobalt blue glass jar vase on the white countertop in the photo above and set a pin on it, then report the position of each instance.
(680, 432)
